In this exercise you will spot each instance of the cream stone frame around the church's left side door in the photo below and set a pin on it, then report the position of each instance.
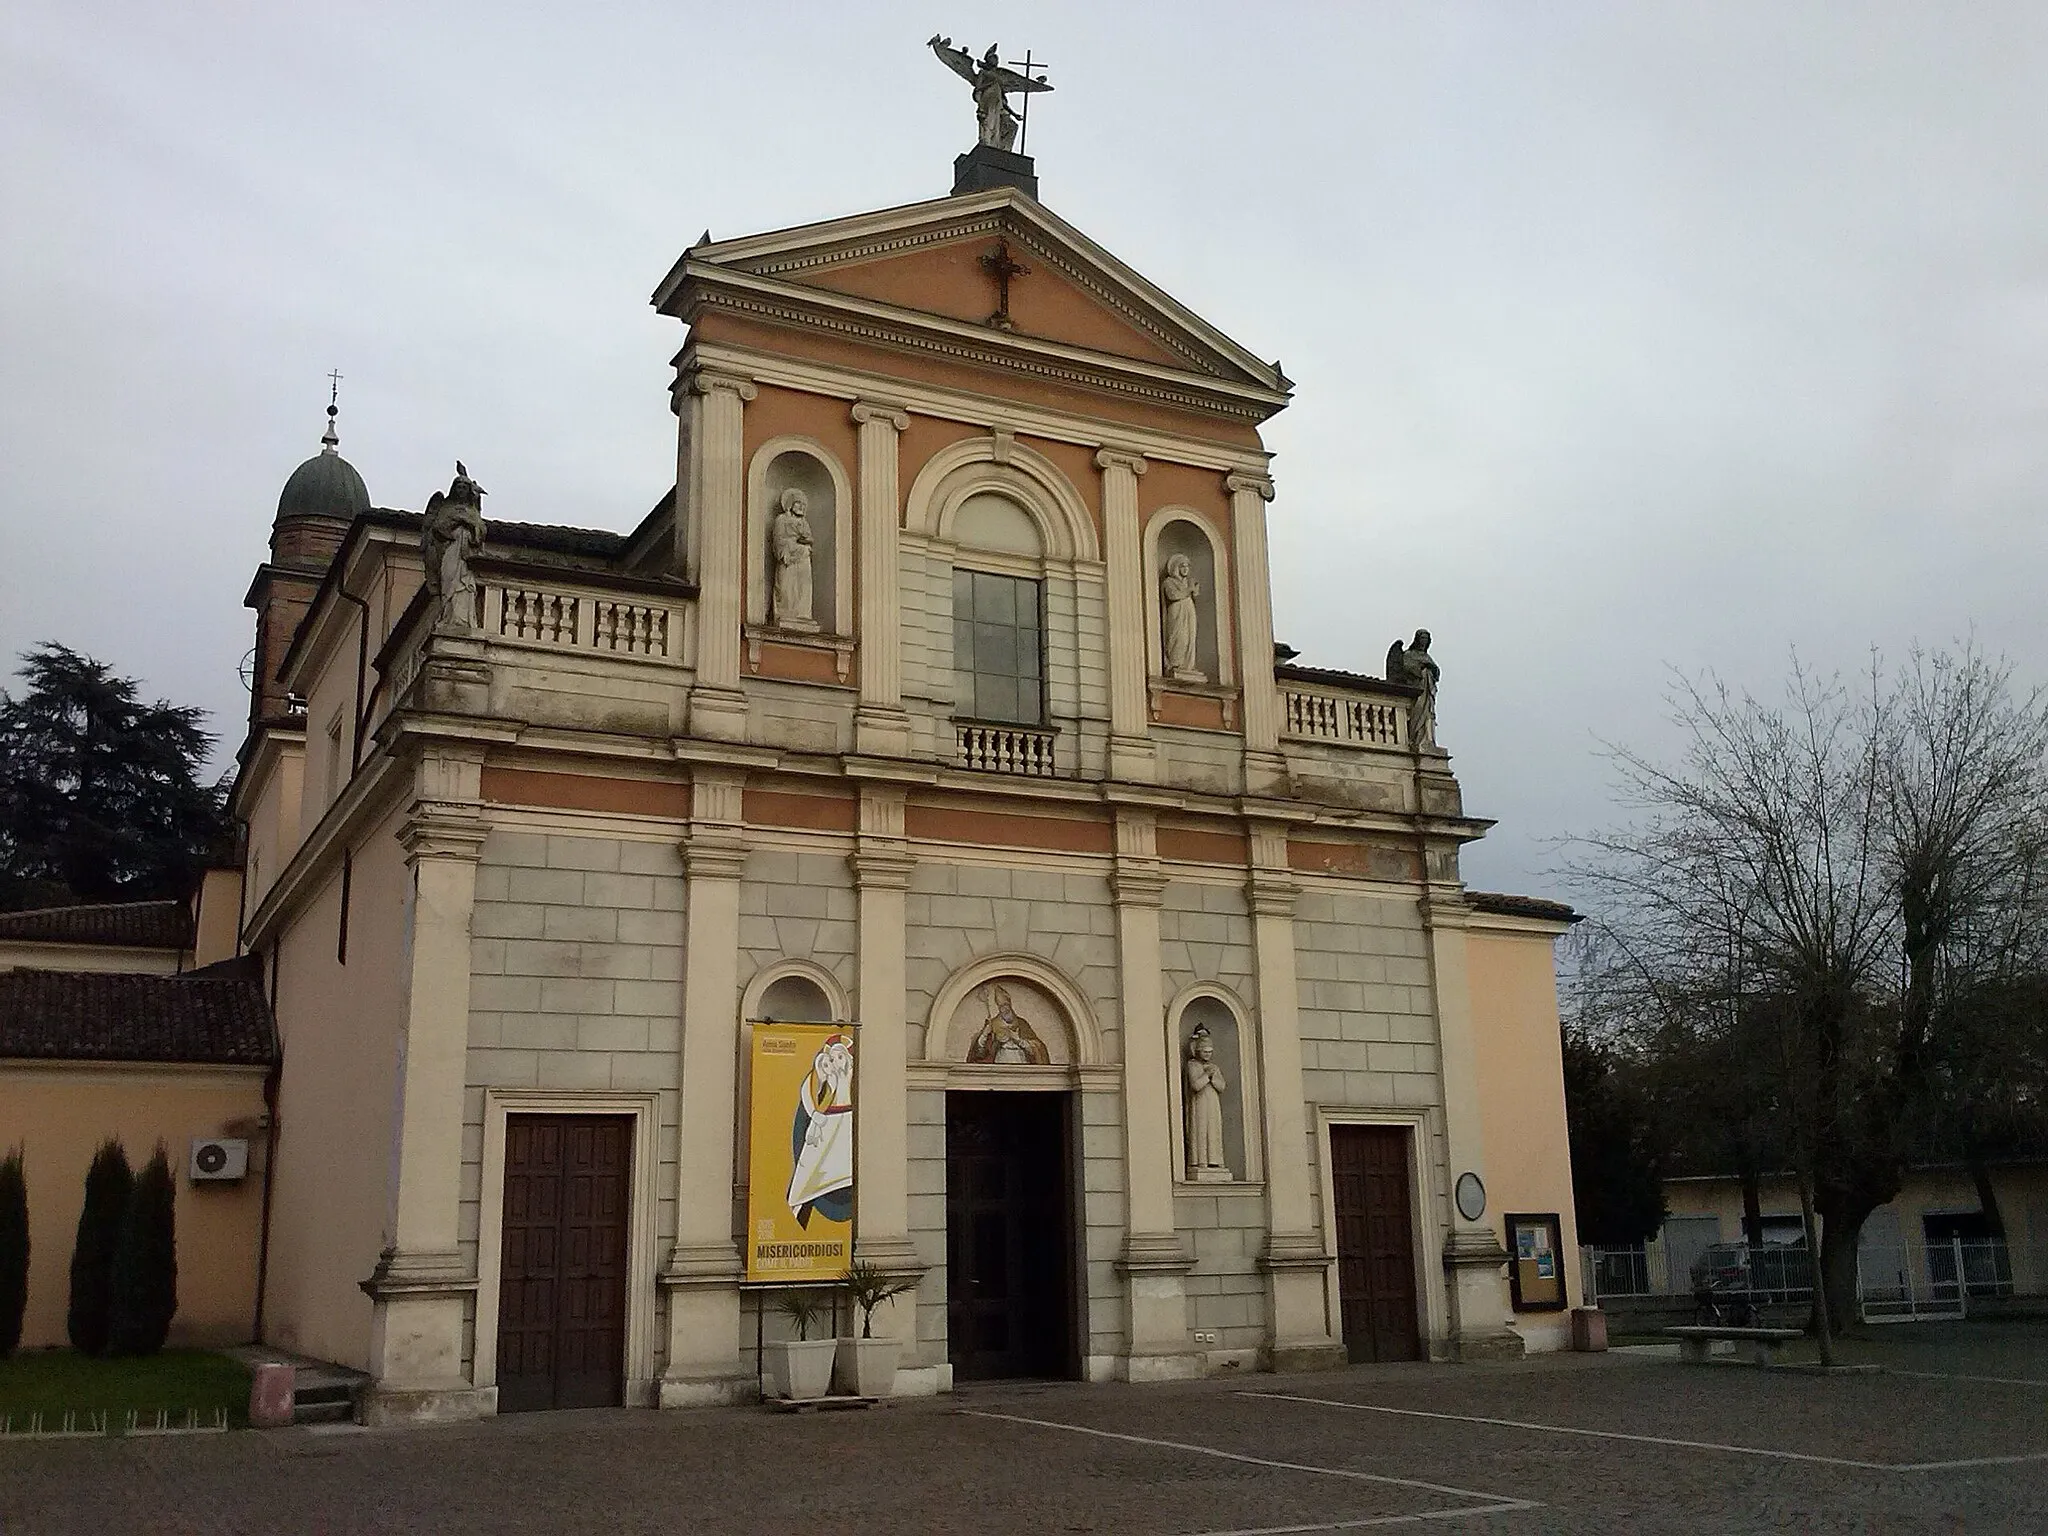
(642, 1195)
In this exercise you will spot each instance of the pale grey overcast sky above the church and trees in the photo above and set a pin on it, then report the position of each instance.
(1625, 337)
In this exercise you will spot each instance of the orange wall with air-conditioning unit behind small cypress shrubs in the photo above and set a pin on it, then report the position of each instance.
(60, 1113)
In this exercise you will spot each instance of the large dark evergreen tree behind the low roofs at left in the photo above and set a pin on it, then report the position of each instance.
(99, 792)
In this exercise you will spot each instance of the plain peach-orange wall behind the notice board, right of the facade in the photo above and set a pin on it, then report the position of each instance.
(1523, 1101)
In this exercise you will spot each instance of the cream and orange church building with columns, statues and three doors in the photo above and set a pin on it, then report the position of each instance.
(937, 701)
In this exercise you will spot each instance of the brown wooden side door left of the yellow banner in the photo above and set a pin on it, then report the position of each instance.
(562, 1281)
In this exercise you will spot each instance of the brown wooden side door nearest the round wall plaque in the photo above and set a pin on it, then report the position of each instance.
(1369, 1172)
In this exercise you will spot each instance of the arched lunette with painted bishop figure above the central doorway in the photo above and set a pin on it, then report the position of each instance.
(978, 1013)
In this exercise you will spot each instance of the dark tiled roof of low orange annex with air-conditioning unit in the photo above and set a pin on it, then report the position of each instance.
(212, 1017)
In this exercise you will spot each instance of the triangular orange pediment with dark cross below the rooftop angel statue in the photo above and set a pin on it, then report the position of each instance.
(931, 263)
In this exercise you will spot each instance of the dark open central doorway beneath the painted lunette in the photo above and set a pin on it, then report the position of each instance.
(1011, 1291)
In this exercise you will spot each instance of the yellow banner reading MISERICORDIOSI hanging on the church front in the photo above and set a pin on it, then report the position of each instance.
(802, 1154)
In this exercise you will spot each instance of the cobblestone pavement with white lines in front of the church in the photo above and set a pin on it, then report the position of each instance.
(1578, 1443)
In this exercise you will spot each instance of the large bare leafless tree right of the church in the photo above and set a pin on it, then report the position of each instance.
(1811, 896)
